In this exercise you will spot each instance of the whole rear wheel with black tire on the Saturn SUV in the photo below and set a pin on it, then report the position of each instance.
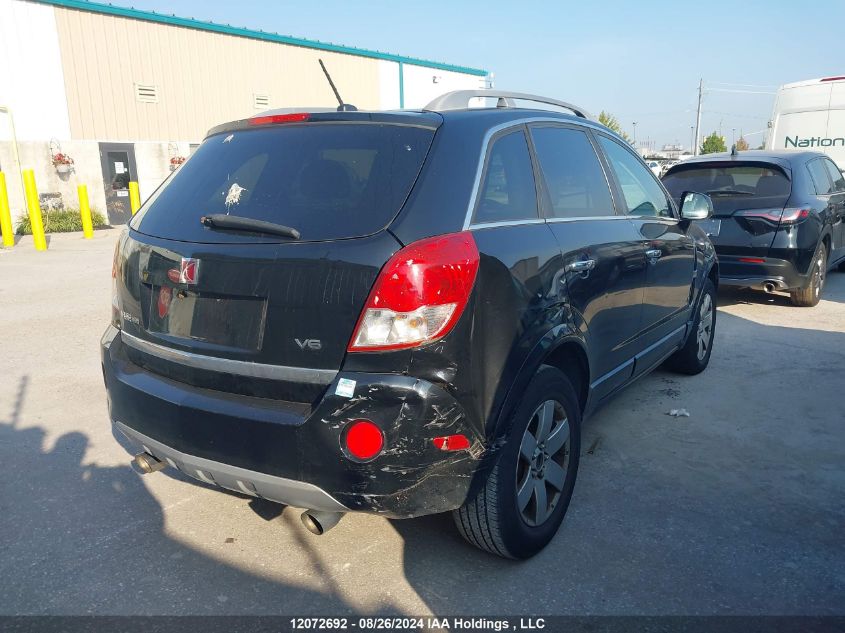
(523, 502)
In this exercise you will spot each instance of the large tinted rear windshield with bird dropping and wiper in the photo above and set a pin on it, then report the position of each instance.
(328, 181)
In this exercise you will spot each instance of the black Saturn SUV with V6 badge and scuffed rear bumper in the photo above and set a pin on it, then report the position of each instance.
(402, 313)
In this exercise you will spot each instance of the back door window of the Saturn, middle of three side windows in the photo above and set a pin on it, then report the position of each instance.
(573, 177)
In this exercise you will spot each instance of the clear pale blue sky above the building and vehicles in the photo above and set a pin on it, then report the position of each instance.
(639, 60)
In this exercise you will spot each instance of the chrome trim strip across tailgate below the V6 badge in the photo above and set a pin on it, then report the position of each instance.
(229, 366)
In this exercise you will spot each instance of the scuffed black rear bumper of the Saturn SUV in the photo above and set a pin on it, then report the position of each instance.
(292, 452)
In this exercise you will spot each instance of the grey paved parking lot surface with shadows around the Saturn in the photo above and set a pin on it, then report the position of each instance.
(736, 509)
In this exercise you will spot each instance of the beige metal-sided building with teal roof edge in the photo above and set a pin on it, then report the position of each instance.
(72, 84)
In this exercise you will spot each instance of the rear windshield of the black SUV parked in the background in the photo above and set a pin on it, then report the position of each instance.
(736, 186)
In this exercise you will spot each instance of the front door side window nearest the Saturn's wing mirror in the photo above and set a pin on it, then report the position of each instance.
(643, 194)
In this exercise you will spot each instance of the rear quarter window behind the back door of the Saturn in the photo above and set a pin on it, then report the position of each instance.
(508, 191)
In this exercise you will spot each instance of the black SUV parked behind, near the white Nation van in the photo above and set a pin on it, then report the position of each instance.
(779, 217)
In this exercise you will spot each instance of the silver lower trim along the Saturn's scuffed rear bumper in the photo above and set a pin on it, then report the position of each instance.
(287, 491)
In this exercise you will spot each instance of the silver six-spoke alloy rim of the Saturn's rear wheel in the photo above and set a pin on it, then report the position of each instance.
(543, 463)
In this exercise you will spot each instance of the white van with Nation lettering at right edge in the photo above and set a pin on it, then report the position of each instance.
(810, 115)
